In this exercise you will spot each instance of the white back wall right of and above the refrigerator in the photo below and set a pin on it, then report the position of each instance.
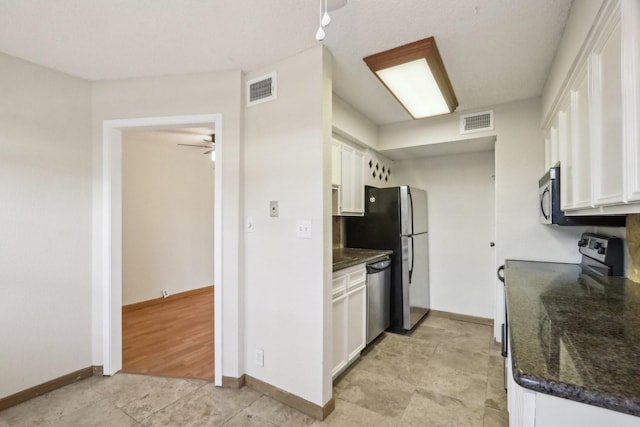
(460, 192)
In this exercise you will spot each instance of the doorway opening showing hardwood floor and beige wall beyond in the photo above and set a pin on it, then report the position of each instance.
(167, 252)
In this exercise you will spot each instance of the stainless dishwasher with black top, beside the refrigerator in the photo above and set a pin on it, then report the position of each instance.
(378, 297)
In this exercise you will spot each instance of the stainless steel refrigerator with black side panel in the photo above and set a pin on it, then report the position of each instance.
(396, 218)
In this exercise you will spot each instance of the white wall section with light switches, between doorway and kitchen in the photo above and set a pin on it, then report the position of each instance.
(287, 159)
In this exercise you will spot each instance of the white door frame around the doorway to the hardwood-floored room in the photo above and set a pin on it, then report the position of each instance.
(111, 232)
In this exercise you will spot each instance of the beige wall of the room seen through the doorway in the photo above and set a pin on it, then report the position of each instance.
(167, 216)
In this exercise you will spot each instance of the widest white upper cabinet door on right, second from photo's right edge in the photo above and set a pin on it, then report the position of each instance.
(606, 115)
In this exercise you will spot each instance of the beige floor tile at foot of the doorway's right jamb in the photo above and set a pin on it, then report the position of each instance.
(207, 406)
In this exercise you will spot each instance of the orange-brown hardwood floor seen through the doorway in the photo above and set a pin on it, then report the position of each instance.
(173, 339)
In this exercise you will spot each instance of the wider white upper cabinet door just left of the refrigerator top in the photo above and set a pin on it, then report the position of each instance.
(352, 188)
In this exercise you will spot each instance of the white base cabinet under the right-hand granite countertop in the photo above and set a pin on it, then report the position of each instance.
(528, 408)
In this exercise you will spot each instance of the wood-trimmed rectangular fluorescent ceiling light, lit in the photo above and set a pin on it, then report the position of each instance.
(416, 77)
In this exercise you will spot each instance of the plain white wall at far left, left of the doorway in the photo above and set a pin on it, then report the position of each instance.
(45, 236)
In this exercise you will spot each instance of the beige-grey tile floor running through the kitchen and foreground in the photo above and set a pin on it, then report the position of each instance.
(447, 373)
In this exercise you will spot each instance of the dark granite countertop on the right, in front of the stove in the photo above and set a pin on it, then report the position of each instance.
(575, 336)
